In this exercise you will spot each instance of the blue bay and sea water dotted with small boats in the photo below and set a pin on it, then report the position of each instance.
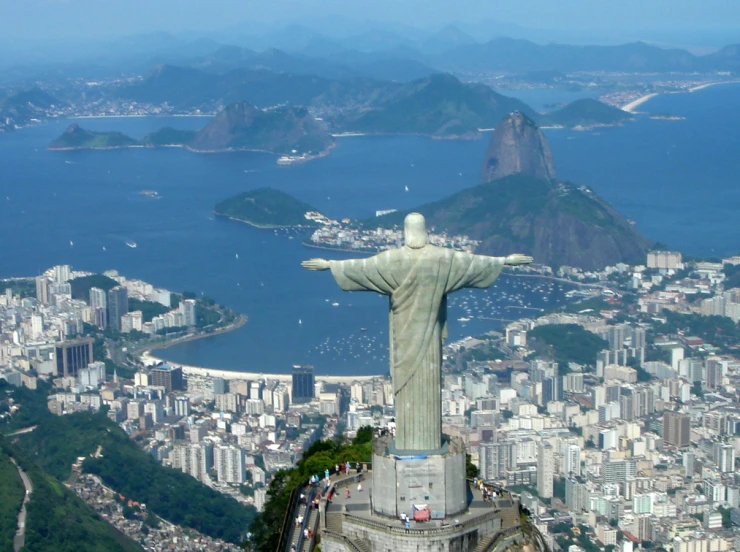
(676, 179)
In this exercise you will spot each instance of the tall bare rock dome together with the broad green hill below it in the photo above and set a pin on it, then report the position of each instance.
(521, 206)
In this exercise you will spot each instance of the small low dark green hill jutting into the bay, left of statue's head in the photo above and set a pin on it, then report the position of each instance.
(266, 207)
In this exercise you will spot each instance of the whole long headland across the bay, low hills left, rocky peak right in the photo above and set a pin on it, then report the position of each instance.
(289, 131)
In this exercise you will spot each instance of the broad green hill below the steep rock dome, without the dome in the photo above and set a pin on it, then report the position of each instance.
(558, 223)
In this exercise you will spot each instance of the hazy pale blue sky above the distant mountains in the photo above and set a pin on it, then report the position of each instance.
(113, 18)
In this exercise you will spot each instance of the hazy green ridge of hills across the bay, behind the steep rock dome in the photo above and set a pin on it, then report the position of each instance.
(439, 105)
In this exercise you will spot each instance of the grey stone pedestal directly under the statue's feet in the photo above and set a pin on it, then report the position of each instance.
(402, 479)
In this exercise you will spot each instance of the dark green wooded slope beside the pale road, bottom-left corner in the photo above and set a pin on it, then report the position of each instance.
(57, 520)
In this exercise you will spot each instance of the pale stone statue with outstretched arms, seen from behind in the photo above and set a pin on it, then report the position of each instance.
(417, 279)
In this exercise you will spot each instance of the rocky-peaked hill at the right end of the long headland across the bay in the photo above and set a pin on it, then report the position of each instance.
(285, 130)
